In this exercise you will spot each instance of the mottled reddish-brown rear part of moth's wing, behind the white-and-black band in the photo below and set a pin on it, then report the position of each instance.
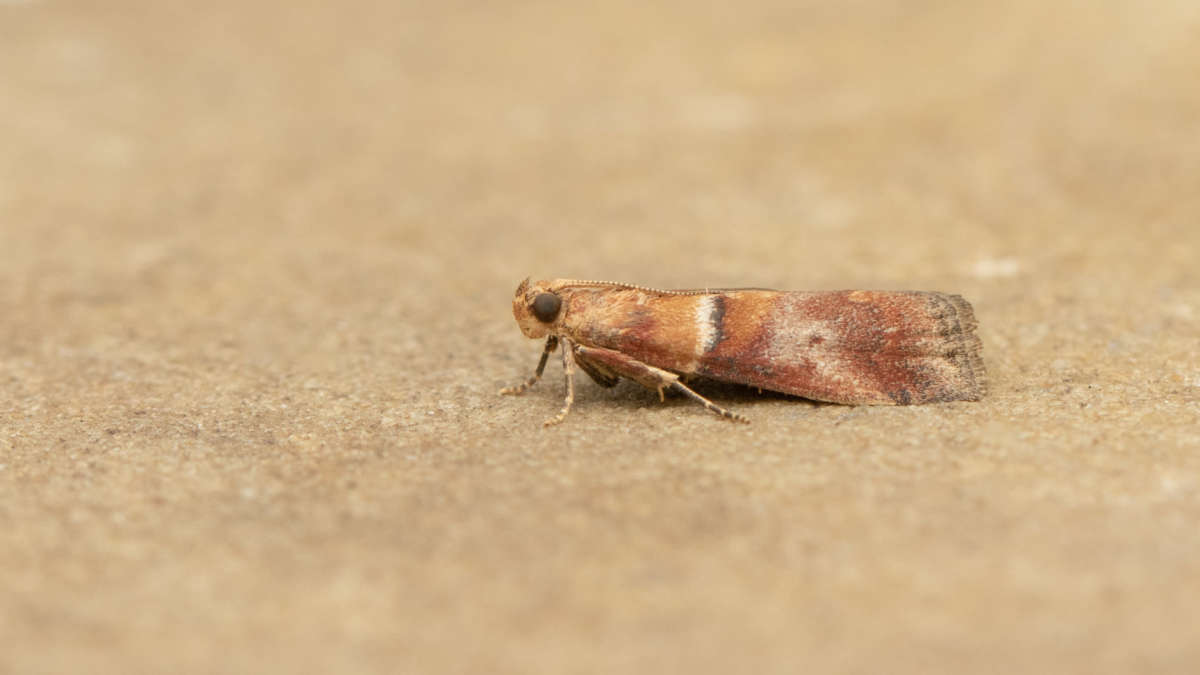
(851, 347)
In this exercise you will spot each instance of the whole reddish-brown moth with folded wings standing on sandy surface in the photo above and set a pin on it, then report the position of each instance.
(857, 348)
